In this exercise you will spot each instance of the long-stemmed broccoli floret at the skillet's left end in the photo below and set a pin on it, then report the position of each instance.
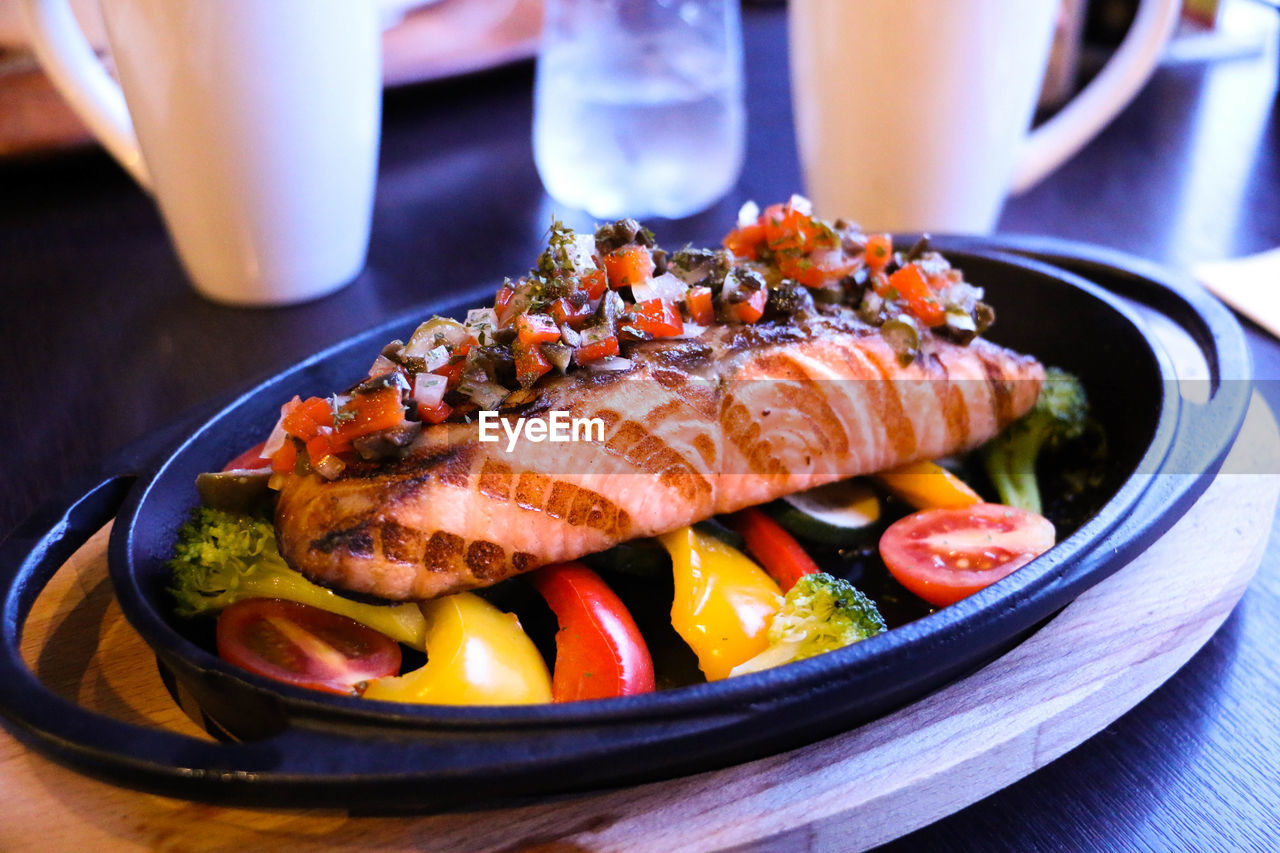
(223, 558)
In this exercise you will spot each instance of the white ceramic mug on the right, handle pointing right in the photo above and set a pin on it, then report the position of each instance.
(913, 115)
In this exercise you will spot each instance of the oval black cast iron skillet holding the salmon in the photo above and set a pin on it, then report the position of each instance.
(304, 749)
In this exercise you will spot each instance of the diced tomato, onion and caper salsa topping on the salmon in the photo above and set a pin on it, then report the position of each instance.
(592, 298)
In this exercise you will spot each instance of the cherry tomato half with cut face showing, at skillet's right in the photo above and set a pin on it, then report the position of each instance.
(950, 554)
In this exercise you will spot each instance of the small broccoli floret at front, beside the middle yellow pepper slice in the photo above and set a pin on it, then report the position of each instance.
(820, 614)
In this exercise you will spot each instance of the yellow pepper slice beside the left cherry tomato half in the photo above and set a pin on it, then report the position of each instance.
(477, 655)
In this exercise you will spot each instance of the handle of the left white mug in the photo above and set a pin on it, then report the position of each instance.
(76, 71)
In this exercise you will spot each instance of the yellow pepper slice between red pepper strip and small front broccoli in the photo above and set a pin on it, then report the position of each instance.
(724, 603)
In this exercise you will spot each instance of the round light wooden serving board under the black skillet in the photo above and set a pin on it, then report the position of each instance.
(1096, 660)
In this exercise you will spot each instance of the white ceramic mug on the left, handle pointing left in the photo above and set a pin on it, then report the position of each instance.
(255, 124)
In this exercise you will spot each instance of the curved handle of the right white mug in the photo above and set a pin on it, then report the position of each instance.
(1054, 143)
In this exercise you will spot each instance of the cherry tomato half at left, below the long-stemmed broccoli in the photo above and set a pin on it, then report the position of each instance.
(304, 646)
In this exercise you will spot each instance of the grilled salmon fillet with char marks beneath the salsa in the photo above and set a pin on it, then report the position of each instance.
(738, 417)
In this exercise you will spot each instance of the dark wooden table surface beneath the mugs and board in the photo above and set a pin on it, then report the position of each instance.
(102, 343)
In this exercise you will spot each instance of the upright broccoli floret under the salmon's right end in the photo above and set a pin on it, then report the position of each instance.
(1060, 414)
